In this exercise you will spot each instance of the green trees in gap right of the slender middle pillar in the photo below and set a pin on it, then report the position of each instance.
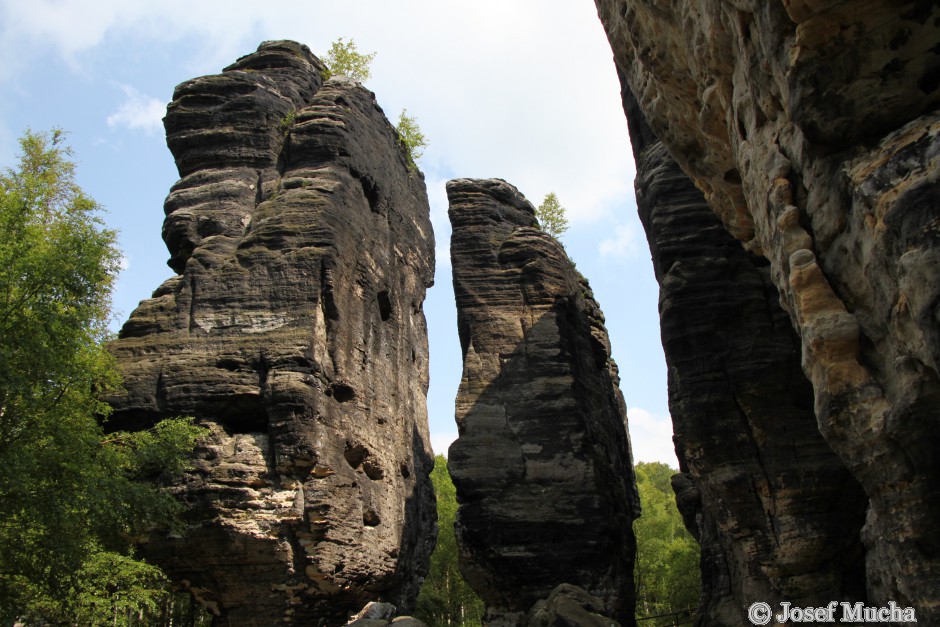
(667, 567)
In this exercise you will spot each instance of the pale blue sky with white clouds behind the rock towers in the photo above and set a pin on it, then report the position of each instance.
(523, 90)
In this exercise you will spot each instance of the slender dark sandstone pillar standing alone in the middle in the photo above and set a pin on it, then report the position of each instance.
(542, 467)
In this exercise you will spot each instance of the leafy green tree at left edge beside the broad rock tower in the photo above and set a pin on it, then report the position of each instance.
(71, 495)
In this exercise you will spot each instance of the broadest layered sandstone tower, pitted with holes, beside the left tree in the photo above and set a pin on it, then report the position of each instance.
(293, 330)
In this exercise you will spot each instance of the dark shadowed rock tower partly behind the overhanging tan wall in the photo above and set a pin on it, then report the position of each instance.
(777, 514)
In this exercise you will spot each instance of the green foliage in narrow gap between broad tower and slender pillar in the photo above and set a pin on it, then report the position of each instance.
(446, 599)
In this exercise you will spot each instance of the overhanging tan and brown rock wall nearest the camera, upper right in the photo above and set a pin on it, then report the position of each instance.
(812, 129)
